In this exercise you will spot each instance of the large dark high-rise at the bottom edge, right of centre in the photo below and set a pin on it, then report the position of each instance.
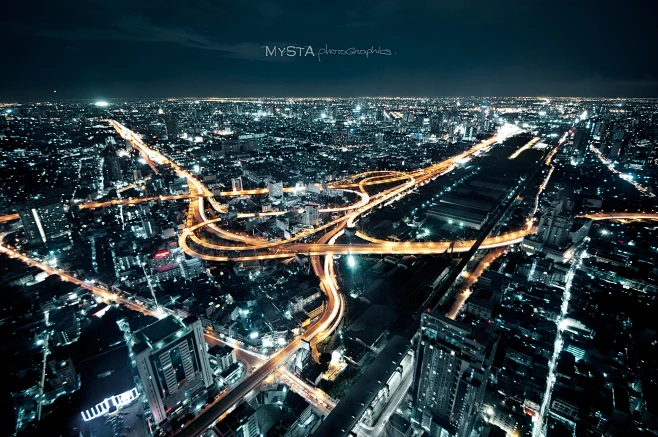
(453, 363)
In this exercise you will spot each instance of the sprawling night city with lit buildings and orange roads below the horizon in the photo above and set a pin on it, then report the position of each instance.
(456, 266)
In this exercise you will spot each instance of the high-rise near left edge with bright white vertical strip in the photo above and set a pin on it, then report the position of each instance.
(43, 220)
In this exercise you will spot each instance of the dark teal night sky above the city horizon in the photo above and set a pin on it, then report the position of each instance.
(95, 49)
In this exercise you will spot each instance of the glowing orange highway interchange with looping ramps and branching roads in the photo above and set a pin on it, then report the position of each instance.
(325, 237)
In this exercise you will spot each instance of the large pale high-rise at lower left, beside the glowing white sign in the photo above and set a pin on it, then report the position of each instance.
(172, 362)
